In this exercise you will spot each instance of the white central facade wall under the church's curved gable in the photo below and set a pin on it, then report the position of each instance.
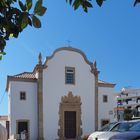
(54, 88)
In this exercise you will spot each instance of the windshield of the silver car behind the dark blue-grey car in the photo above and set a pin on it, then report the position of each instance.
(123, 126)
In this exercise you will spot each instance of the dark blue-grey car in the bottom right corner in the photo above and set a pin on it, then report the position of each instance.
(132, 134)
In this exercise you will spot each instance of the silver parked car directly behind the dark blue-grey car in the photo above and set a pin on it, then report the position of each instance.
(116, 129)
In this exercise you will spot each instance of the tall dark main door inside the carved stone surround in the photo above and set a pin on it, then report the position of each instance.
(70, 124)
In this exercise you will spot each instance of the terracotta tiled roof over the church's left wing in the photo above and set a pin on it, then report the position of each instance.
(25, 75)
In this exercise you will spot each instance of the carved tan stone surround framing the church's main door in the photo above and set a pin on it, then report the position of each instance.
(70, 103)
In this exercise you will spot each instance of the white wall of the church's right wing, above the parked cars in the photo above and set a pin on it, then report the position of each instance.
(106, 111)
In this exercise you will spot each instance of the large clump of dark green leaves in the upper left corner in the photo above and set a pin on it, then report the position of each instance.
(13, 20)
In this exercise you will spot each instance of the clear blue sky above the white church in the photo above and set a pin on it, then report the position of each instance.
(109, 35)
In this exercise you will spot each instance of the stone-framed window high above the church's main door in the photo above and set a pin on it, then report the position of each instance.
(70, 75)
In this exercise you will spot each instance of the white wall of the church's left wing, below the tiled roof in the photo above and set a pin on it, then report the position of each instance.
(23, 110)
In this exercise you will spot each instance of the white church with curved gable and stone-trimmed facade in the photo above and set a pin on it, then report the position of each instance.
(61, 99)
